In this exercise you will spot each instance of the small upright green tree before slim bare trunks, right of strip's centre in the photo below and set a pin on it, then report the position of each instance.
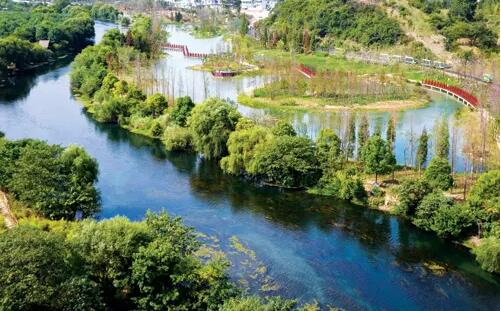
(377, 156)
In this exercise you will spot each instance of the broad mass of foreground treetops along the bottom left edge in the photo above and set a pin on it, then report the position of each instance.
(114, 264)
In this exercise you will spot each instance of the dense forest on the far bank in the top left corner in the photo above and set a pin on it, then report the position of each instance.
(68, 28)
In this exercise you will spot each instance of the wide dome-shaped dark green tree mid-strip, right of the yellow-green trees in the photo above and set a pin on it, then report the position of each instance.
(287, 161)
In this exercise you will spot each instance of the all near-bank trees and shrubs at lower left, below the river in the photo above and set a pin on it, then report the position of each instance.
(49, 261)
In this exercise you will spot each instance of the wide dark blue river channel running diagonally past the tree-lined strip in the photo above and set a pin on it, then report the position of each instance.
(313, 247)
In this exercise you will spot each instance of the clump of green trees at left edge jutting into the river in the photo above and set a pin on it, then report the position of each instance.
(54, 181)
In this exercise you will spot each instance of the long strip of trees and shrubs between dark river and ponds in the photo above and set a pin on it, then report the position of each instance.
(332, 165)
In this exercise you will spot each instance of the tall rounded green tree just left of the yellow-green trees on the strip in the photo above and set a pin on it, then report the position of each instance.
(211, 124)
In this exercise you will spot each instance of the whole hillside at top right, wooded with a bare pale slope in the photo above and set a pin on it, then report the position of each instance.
(435, 29)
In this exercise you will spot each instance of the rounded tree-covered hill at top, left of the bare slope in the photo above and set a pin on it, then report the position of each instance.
(303, 25)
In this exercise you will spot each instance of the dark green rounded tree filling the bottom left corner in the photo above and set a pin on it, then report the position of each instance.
(36, 275)
